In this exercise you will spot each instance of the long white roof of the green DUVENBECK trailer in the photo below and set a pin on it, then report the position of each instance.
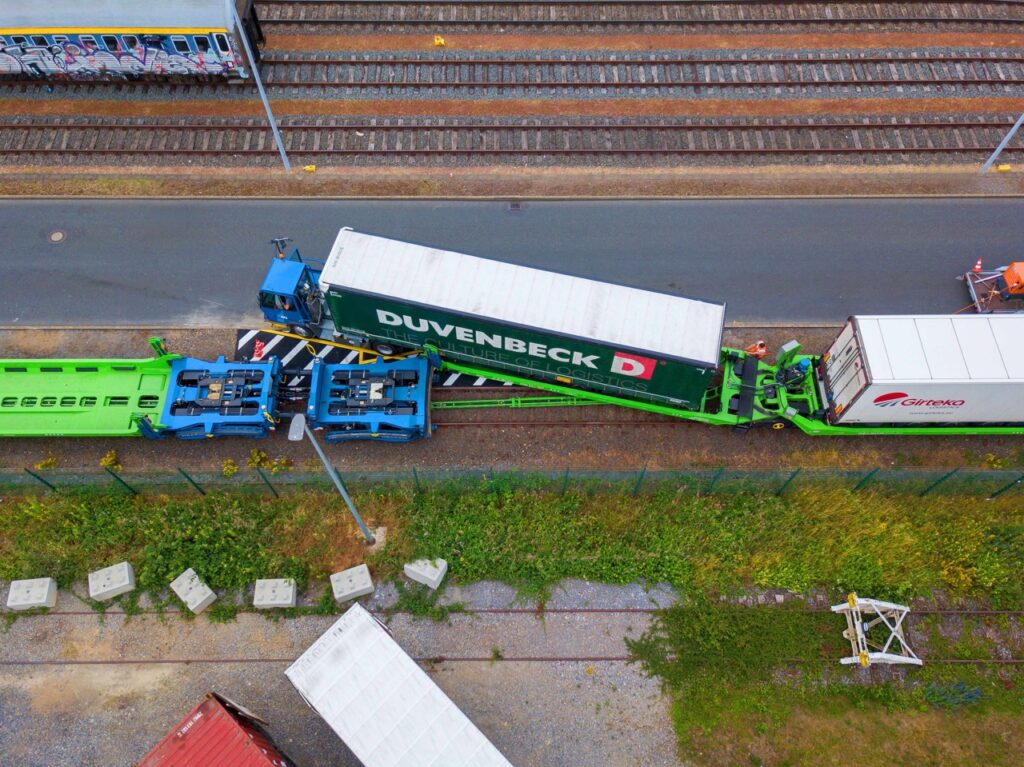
(615, 315)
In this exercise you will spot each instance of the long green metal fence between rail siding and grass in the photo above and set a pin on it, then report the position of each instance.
(974, 483)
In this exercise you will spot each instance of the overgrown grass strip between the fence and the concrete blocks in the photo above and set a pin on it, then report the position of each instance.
(880, 545)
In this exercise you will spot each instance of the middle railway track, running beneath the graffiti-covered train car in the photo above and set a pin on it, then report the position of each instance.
(601, 75)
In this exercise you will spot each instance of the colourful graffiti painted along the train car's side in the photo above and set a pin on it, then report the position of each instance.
(80, 61)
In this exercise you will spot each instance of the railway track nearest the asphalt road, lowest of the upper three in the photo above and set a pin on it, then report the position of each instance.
(470, 142)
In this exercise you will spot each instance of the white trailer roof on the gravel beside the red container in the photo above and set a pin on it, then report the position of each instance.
(382, 704)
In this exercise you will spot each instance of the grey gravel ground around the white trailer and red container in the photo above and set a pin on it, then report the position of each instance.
(538, 713)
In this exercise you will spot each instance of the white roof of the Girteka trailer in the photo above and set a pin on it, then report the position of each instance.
(957, 348)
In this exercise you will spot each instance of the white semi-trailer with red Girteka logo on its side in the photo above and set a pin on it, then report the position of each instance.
(961, 369)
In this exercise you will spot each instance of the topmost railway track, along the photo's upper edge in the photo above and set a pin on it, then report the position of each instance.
(631, 16)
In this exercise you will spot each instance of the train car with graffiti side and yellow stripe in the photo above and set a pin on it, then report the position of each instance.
(126, 39)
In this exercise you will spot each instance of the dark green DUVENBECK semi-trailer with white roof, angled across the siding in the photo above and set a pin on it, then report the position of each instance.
(540, 325)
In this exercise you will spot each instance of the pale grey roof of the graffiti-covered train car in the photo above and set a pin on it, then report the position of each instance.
(115, 15)
